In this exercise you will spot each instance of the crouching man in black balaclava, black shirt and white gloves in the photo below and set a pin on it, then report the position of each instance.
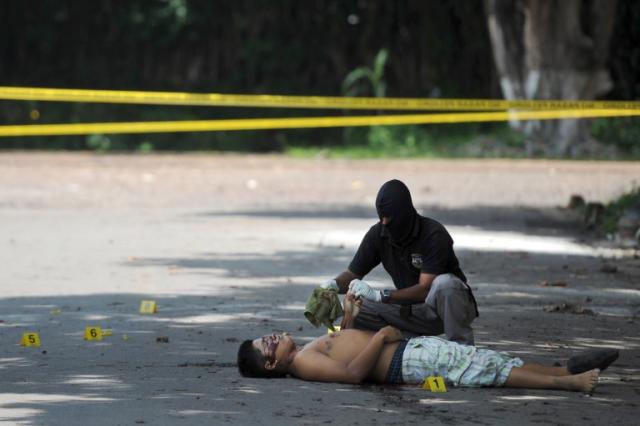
(432, 296)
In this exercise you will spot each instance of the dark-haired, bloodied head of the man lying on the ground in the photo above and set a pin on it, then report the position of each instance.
(267, 356)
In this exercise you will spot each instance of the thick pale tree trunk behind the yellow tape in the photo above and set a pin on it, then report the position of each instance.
(552, 49)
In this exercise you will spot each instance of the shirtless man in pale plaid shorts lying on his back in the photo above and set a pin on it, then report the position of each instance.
(354, 356)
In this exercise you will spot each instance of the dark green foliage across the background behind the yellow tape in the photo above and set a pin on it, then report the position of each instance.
(286, 47)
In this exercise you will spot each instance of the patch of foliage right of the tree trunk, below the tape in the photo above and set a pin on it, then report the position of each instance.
(623, 132)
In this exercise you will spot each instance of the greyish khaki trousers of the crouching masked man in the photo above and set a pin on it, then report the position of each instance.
(449, 309)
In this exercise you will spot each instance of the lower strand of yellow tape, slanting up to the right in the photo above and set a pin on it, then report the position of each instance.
(299, 123)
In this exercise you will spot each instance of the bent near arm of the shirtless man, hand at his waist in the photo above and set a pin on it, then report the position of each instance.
(316, 366)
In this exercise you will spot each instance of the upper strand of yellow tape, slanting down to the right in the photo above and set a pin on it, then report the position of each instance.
(317, 102)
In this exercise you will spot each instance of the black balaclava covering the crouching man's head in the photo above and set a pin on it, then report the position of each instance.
(394, 201)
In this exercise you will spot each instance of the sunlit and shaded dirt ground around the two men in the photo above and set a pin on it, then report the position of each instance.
(231, 246)
